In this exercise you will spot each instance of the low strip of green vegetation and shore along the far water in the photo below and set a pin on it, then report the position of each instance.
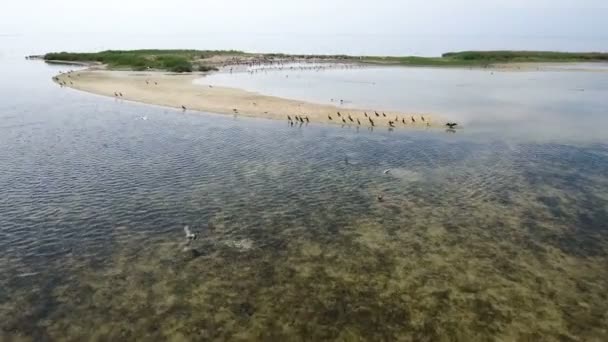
(189, 60)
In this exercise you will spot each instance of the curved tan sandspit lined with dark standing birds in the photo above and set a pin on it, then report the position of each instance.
(177, 90)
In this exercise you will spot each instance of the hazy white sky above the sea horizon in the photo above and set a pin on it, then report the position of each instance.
(493, 17)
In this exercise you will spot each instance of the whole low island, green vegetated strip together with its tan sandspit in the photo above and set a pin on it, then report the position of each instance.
(166, 77)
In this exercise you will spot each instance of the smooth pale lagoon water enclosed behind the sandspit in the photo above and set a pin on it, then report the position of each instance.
(549, 103)
